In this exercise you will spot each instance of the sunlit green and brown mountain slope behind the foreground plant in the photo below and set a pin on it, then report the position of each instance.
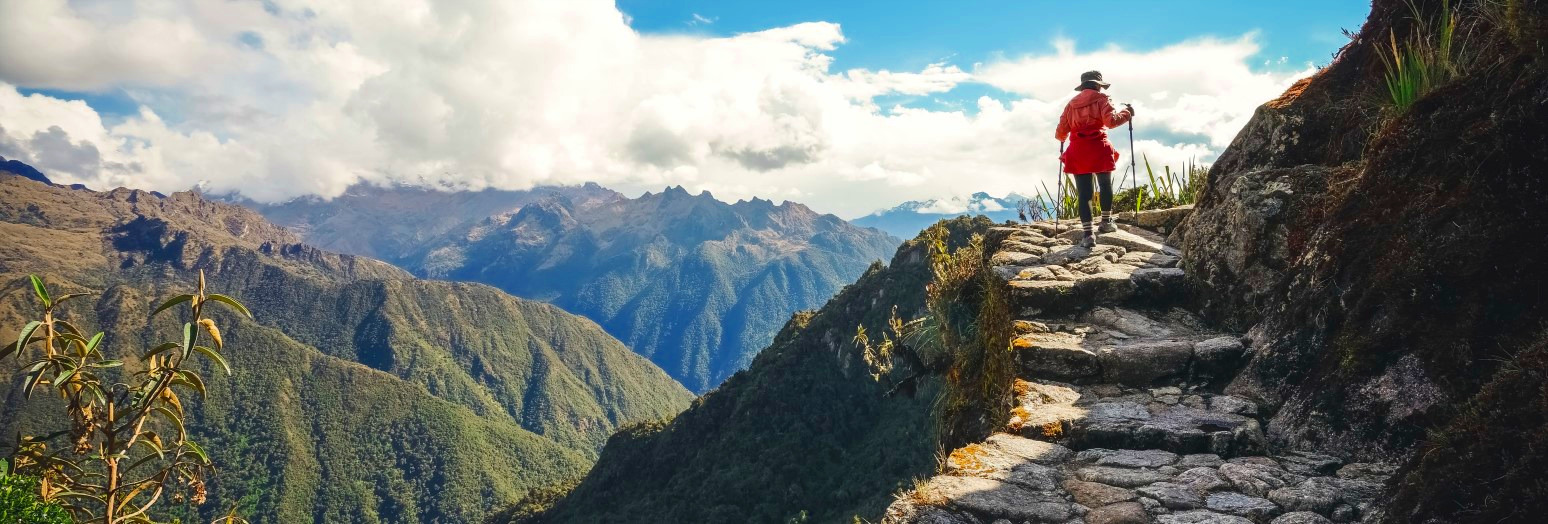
(360, 393)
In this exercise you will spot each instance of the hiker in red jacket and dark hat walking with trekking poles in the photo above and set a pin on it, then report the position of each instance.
(1091, 155)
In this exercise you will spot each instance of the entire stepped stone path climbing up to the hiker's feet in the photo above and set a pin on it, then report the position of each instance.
(1120, 418)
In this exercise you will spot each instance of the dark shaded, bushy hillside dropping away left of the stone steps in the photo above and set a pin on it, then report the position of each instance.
(809, 430)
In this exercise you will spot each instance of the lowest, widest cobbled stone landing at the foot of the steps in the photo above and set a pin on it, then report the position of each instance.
(1027, 481)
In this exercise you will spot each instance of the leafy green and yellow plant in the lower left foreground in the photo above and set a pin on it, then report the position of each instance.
(126, 449)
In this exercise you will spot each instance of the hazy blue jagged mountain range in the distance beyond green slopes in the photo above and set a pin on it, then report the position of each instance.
(694, 284)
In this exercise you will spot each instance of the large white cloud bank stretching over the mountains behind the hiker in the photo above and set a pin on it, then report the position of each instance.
(279, 100)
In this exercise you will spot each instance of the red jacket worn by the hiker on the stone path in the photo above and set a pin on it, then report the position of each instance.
(1084, 124)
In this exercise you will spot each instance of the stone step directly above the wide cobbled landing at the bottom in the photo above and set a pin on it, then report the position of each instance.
(1111, 417)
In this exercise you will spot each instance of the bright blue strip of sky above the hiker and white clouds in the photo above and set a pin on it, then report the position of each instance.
(913, 35)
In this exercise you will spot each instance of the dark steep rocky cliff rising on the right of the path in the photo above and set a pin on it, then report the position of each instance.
(1378, 262)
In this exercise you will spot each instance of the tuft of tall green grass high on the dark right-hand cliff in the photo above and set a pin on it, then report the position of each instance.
(1425, 61)
